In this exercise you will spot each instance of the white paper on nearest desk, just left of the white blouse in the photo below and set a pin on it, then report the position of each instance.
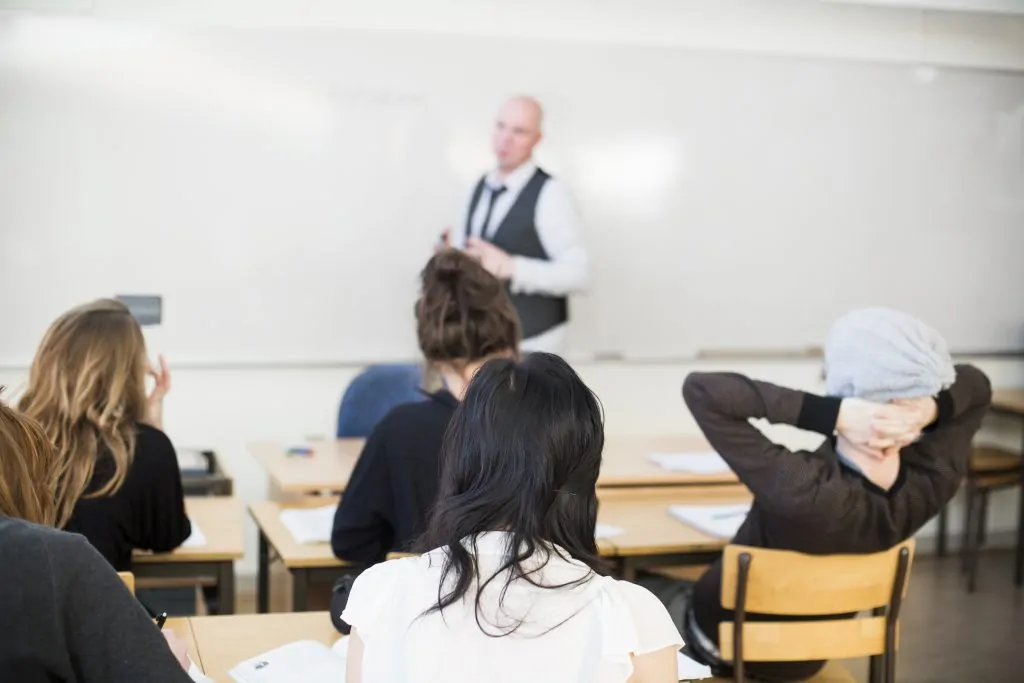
(302, 662)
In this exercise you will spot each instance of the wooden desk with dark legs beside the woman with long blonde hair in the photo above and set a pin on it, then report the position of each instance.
(221, 520)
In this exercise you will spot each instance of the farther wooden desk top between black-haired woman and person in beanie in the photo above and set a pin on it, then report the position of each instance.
(625, 462)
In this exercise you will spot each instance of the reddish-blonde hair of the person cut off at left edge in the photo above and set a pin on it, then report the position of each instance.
(28, 471)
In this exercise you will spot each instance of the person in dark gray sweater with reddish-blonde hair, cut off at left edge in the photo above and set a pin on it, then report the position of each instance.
(67, 616)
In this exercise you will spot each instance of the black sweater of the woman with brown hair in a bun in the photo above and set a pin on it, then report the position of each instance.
(395, 482)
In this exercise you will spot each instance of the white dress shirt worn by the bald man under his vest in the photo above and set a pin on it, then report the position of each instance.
(560, 231)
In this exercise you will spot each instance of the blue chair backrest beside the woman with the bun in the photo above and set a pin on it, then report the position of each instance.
(373, 394)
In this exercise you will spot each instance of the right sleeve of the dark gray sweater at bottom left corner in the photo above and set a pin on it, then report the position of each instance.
(110, 636)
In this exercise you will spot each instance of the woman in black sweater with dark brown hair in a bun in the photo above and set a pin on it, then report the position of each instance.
(464, 319)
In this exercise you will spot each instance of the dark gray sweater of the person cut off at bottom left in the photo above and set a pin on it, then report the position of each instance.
(68, 618)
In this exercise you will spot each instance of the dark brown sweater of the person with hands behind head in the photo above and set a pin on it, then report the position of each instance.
(810, 502)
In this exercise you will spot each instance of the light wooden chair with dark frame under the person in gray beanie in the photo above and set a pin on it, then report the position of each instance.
(783, 583)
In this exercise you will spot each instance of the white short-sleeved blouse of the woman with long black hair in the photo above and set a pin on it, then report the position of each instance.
(583, 633)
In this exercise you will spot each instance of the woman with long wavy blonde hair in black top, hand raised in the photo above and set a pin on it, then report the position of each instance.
(118, 479)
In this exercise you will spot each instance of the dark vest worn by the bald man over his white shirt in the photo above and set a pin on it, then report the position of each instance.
(518, 236)
